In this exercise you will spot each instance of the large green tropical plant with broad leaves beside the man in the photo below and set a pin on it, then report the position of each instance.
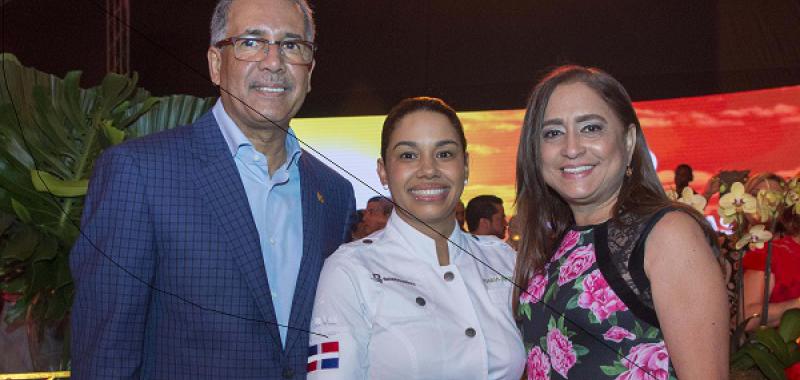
(51, 132)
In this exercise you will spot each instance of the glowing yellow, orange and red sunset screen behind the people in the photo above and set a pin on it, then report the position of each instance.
(756, 130)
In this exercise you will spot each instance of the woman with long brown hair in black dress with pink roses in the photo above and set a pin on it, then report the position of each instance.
(621, 282)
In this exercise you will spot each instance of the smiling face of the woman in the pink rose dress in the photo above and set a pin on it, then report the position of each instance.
(584, 150)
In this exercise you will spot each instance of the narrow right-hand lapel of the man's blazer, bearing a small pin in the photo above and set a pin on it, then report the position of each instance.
(313, 203)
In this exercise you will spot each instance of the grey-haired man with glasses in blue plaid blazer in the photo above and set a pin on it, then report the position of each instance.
(202, 245)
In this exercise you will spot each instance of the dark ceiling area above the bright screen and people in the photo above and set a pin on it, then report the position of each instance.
(474, 54)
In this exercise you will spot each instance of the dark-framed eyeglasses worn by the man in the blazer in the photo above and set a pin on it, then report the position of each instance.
(253, 49)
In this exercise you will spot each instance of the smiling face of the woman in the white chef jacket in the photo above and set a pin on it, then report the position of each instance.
(425, 169)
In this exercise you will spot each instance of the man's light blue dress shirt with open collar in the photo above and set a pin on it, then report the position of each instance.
(275, 204)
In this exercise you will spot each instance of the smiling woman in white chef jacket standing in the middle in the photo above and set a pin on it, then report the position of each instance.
(419, 299)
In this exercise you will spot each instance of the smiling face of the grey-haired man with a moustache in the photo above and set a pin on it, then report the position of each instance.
(272, 87)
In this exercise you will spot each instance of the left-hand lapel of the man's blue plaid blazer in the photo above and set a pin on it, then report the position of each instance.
(218, 180)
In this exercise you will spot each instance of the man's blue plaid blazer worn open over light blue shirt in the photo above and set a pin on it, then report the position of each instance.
(169, 276)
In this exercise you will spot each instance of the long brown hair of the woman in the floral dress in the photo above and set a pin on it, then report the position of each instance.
(544, 216)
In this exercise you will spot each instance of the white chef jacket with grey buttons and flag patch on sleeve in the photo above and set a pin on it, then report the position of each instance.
(385, 309)
